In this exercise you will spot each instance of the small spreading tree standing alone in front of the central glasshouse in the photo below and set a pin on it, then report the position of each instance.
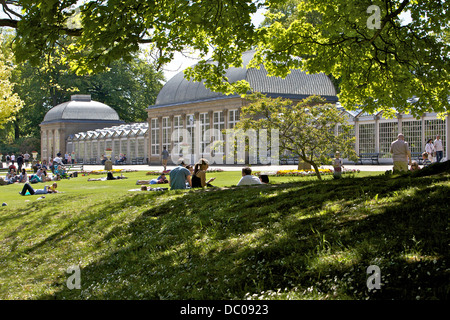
(310, 129)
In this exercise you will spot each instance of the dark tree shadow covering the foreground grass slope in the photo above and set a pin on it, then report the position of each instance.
(224, 244)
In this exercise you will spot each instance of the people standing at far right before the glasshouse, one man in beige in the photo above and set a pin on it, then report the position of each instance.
(401, 154)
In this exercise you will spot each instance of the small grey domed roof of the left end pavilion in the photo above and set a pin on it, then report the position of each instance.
(81, 108)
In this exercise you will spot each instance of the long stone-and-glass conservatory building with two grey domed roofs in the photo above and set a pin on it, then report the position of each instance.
(86, 129)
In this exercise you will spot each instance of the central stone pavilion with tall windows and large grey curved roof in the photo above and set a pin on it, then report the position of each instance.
(202, 115)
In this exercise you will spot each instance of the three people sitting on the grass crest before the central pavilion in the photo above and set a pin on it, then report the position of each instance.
(186, 176)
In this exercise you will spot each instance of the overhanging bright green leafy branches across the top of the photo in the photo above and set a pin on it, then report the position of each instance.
(379, 60)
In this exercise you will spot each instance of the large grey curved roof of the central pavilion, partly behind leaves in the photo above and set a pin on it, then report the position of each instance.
(296, 85)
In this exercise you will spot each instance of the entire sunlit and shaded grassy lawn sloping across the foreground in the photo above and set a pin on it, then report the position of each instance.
(301, 240)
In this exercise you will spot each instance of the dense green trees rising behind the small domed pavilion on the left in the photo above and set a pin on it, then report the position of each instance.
(128, 87)
